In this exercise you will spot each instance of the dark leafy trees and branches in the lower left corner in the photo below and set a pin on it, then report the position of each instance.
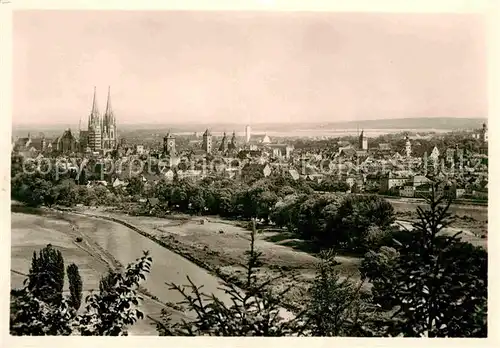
(108, 312)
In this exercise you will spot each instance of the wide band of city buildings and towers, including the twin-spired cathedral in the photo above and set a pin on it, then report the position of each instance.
(379, 168)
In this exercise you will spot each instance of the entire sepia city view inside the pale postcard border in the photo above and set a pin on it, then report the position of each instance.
(249, 173)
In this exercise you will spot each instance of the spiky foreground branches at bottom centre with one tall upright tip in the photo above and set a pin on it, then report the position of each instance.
(256, 311)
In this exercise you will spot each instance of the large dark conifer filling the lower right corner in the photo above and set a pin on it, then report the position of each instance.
(437, 285)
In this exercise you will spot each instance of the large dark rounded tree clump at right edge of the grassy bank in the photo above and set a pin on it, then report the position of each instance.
(353, 223)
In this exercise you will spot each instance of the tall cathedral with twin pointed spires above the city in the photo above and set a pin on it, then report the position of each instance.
(101, 132)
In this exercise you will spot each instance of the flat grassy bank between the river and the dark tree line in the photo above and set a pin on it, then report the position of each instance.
(219, 246)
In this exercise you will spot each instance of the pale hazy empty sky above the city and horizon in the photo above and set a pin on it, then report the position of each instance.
(176, 67)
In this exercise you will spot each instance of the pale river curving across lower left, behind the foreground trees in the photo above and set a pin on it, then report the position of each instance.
(105, 241)
